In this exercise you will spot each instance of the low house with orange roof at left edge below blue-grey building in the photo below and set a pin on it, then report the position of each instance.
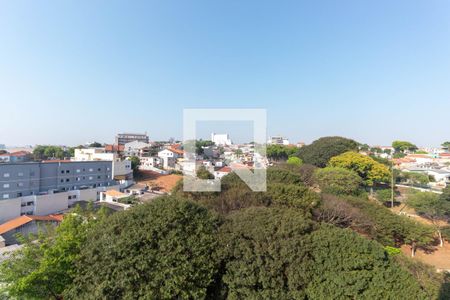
(25, 225)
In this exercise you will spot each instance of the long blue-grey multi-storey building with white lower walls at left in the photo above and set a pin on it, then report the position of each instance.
(41, 188)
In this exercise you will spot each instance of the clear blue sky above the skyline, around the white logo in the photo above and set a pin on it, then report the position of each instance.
(77, 71)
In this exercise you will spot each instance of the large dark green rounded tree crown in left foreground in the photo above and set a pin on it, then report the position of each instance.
(159, 250)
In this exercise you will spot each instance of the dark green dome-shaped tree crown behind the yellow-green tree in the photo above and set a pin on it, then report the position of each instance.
(321, 150)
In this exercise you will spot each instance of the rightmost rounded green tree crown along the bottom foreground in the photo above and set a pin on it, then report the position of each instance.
(347, 266)
